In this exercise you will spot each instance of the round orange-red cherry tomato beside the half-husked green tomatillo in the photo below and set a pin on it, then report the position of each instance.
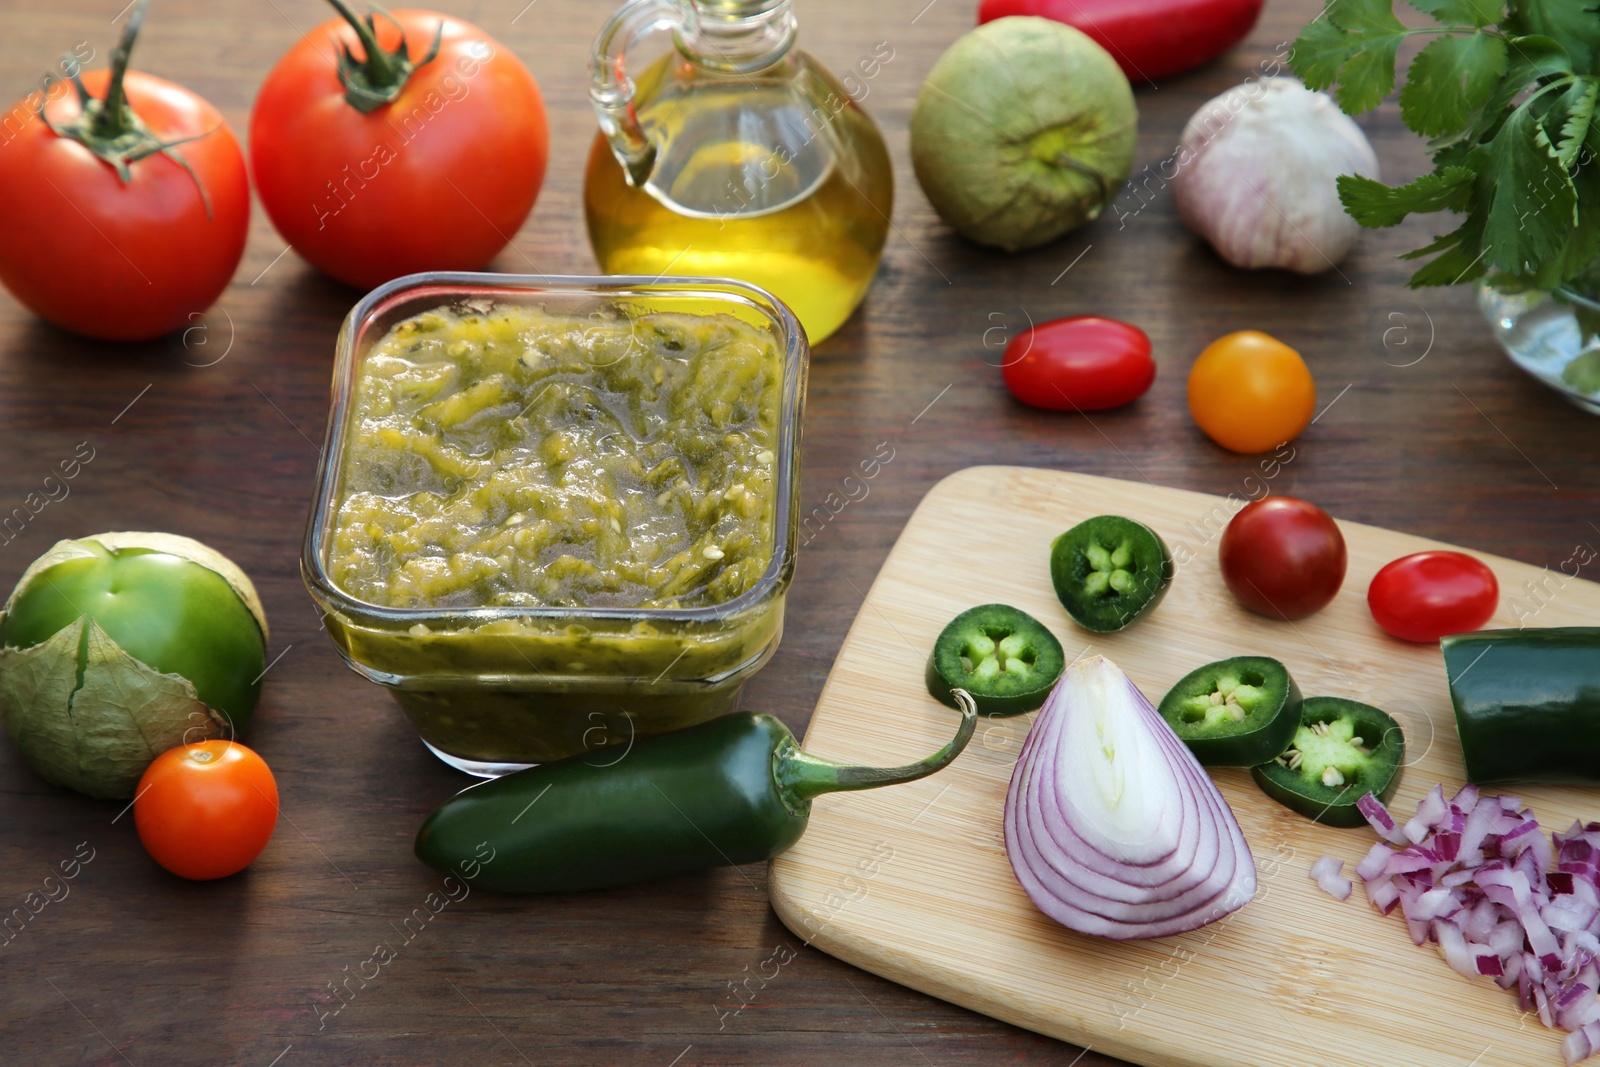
(207, 810)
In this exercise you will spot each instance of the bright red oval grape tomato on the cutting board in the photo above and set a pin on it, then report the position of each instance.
(1428, 596)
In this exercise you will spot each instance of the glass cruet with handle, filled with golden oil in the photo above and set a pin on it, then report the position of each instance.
(735, 156)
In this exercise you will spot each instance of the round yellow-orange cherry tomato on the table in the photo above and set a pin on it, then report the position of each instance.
(1252, 393)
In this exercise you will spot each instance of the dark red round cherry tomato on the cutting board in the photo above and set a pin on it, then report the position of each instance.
(1282, 557)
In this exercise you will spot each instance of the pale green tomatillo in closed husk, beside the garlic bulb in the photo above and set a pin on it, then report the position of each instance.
(1023, 130)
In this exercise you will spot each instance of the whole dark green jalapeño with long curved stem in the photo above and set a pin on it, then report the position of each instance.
(734, 791)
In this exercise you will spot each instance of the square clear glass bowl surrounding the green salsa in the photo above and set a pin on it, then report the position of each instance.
(495, 690)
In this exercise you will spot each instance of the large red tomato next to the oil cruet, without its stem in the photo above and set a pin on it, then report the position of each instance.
(436, 180)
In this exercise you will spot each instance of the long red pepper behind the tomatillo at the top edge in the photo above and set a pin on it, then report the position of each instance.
(1150, 39)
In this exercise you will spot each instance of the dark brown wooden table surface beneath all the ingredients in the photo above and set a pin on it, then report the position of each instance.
(214, 434)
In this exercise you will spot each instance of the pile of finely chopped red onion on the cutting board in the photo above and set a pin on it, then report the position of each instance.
(1479, 877)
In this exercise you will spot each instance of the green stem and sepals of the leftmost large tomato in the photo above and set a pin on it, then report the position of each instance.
(110, 127)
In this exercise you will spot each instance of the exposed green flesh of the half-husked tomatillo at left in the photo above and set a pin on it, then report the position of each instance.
(170, 613)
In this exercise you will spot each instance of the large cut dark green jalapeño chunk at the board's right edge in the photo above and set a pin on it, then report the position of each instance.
(1527, 703)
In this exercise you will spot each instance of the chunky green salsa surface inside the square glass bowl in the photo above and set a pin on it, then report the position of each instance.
(510, 457)
